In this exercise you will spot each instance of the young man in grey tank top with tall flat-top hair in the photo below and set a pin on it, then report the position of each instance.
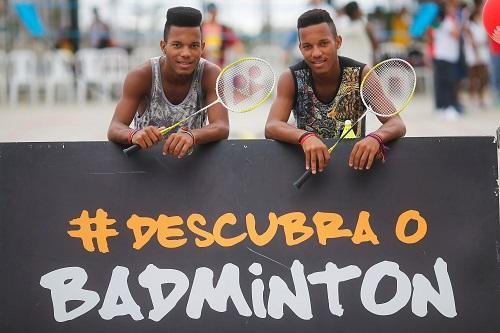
(169, 88)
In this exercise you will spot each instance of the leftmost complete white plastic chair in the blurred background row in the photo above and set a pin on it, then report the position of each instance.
(23, 73)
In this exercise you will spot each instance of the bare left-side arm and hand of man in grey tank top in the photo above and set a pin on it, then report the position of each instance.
(137, 85)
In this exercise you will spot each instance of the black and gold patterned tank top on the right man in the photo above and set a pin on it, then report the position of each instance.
(327, 119)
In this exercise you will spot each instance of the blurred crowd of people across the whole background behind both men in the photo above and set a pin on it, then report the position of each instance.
(453, 45)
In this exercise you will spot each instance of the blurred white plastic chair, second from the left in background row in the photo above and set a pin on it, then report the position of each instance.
(58, 74)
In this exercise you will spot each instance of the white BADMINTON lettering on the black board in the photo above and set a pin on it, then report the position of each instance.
(68, 284)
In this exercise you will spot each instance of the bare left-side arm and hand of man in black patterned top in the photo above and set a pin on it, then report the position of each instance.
(277, 127)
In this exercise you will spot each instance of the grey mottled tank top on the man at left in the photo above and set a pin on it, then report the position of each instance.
(157, 110)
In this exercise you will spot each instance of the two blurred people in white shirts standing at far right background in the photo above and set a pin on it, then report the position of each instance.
(458, 46)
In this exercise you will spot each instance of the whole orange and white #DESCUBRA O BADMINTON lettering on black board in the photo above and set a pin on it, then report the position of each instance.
(199, 291)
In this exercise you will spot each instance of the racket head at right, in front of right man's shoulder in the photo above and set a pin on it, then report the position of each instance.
(388, 87)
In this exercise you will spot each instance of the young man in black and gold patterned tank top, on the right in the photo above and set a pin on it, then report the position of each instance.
(323, 92)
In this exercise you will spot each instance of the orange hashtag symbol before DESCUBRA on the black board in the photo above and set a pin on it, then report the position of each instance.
(93, 228)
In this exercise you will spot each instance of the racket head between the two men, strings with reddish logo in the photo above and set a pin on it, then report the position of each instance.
(245, 84)
